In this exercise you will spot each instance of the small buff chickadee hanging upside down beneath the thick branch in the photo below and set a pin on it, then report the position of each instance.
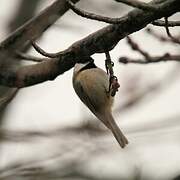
(91, 84)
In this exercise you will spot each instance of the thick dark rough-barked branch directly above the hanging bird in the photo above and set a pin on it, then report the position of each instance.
(82, 49)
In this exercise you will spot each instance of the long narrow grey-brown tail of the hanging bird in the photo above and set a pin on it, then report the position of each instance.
(111, 124)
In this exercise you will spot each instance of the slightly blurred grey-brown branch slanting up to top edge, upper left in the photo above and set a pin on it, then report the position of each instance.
(35, 27)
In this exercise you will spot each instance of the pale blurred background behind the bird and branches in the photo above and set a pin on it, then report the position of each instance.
(47, 133)
